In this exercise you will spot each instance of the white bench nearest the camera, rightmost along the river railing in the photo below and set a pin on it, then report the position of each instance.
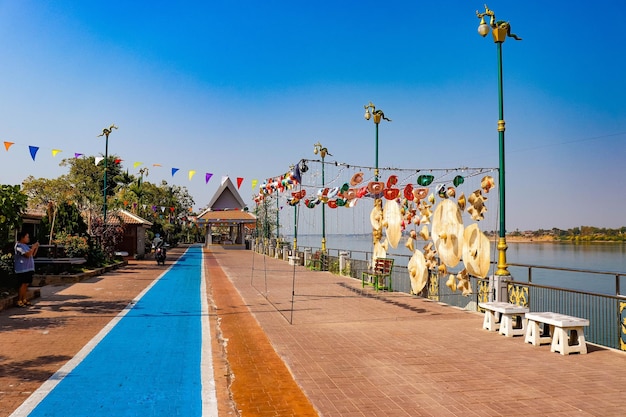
(565, 333)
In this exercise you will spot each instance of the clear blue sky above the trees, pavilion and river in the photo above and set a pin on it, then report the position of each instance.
(245, 88)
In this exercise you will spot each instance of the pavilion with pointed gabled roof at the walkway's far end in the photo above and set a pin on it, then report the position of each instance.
(226, 219)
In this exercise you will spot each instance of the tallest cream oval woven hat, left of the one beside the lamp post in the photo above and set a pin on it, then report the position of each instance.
(447, 232)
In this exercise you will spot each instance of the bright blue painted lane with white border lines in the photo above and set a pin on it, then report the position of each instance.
(154, 359)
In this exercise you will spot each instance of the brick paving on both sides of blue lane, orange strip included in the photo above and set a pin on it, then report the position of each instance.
(292, 342)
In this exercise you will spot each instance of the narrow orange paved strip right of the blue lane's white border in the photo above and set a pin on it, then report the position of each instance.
(262, 384)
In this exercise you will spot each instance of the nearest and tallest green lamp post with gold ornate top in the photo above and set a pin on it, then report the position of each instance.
(500, 30)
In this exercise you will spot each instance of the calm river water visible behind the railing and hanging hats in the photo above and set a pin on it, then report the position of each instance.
(600, 257)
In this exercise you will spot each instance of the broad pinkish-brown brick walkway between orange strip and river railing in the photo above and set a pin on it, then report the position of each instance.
(355, 354)
